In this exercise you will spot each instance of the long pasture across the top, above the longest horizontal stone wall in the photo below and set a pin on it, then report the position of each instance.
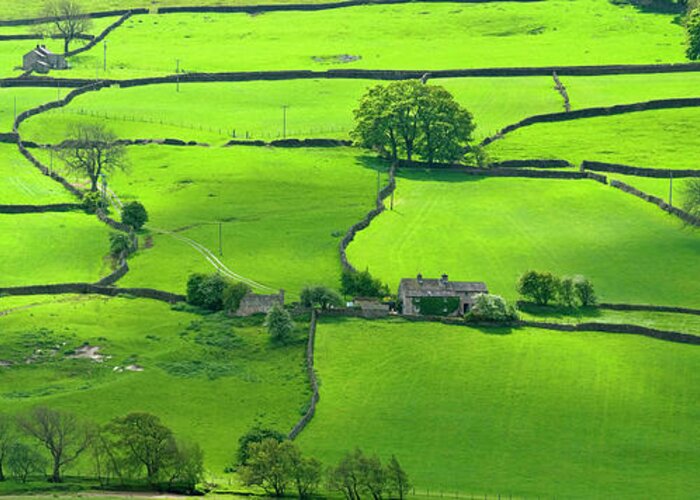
(412, 36)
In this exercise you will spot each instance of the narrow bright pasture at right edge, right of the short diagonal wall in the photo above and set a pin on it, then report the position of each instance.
(591, 91)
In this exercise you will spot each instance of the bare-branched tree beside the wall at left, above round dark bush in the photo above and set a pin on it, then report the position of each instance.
(92, 150)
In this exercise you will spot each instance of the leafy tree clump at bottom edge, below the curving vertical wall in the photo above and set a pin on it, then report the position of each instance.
(268, 460)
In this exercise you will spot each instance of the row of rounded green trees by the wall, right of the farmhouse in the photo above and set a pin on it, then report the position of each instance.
(544, 288)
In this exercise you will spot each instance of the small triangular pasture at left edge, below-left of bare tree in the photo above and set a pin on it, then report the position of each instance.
(23, 184)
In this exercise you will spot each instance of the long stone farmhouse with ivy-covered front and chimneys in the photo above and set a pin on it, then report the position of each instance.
(459, 295)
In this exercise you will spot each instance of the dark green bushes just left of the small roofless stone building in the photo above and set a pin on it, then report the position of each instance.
(215, 293)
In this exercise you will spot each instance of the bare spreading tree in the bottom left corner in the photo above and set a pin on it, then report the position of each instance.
(60, 432)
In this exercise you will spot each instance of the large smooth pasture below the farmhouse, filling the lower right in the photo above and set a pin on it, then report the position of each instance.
(486, 412)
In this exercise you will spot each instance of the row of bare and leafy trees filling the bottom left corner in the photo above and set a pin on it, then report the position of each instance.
(134, 447)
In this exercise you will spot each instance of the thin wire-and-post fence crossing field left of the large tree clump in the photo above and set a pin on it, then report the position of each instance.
(232, 132)
